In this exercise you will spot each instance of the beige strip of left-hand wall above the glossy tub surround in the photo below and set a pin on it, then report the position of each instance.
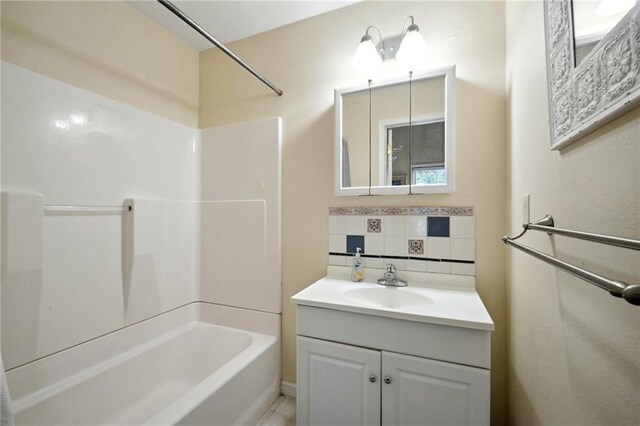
(109, 48)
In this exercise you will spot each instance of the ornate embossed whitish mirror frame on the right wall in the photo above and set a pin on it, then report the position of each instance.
(602, 87)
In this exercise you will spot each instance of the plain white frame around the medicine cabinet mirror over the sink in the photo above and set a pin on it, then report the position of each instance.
(449, 74)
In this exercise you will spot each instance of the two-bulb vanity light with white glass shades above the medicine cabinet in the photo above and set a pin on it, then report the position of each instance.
(411, 55)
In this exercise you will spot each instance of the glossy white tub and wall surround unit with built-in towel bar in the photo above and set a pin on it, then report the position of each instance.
(144, 232)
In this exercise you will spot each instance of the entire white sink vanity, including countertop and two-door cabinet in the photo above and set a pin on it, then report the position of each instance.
(360, 364)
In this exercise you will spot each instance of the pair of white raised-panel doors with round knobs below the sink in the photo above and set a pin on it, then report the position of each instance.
(341, 384)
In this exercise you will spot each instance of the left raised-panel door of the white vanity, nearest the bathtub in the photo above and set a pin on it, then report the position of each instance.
(335, 384)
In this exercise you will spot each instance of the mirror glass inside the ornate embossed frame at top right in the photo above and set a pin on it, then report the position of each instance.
(592, 20)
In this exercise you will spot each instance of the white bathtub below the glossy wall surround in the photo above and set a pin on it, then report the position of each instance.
(199, 364)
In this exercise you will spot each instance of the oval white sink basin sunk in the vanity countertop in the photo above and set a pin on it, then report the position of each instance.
(392, 298)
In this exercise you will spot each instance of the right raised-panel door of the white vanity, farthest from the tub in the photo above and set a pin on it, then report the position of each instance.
(427, 392)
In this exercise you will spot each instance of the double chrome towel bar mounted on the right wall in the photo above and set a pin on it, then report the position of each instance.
(630, 292)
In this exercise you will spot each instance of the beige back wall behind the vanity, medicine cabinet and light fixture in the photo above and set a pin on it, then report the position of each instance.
(309, 60)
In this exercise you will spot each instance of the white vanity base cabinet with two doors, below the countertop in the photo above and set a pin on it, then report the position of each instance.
(438, 374)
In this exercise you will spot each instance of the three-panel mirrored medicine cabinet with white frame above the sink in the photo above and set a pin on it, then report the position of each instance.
(396, 136)
